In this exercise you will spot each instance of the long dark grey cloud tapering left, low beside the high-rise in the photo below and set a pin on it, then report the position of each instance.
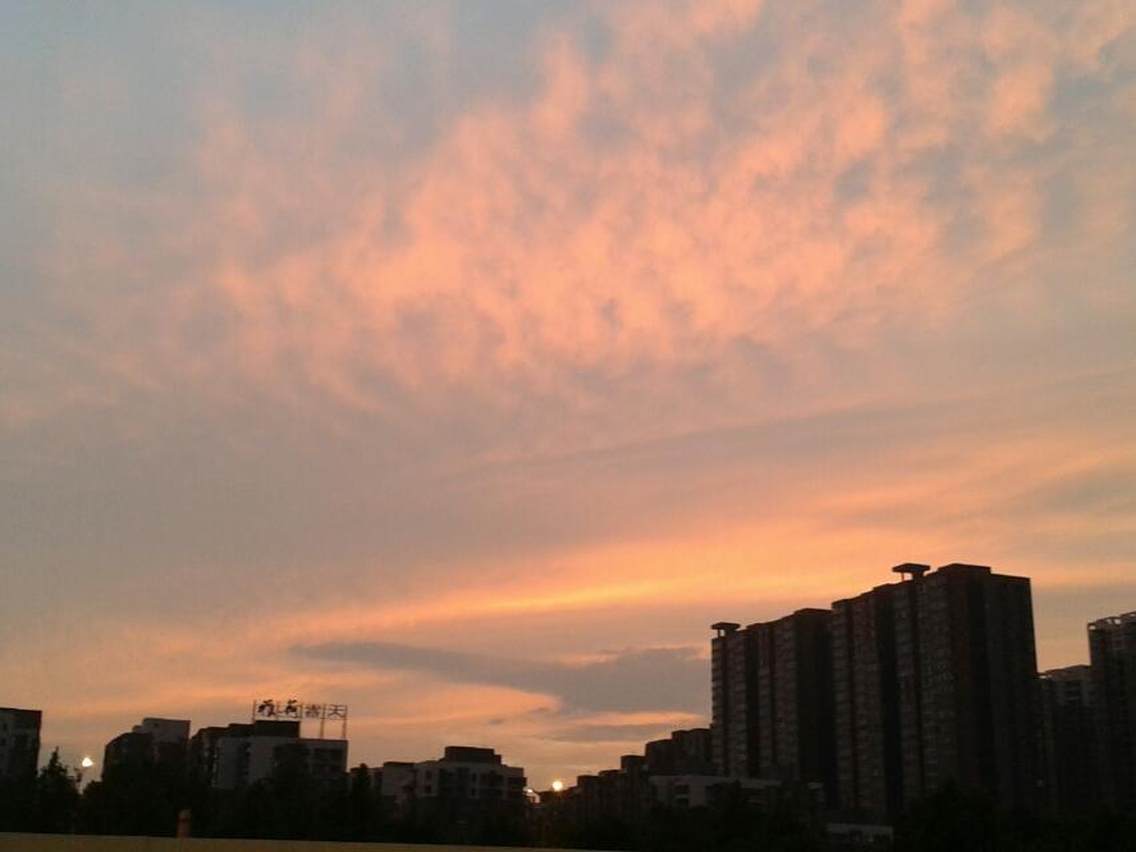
(658, 679)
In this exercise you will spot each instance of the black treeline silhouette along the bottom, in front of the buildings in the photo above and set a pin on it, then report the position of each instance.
(148, 800)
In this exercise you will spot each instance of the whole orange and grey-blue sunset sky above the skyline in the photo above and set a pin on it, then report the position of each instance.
(464, 362)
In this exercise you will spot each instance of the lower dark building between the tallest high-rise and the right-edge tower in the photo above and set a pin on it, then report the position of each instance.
(1071, 746)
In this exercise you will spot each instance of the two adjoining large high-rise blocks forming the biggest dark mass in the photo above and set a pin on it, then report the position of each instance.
(889, 696)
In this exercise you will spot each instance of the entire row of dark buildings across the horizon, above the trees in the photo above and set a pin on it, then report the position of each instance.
(854, 713)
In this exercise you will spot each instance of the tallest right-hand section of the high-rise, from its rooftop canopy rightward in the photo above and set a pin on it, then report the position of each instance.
(967, 674)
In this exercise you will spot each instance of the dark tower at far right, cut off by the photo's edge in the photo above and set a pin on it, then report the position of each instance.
(1113, 653)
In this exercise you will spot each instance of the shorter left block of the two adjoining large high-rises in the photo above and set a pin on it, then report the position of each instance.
(772, 699)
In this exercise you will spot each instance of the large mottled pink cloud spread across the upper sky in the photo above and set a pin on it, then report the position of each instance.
(632, 207)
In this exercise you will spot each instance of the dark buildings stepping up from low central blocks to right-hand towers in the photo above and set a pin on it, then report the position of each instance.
(862, 709)
